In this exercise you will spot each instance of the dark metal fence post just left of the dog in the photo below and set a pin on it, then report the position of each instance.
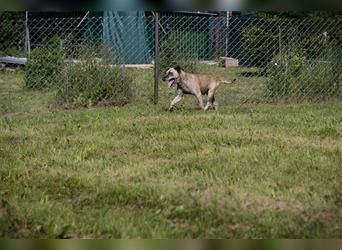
(156, 57)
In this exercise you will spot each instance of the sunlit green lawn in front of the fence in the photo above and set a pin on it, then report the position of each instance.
(266, 171)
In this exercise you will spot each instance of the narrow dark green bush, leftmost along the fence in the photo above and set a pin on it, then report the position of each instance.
(42, 69)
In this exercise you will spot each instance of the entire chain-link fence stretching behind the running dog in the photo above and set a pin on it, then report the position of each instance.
(109, 59)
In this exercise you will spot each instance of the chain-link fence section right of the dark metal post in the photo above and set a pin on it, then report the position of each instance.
(272, 59)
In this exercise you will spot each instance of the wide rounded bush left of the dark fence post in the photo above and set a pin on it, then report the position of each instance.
(92, 83)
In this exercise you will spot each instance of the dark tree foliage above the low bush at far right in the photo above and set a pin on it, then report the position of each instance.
(275, 32)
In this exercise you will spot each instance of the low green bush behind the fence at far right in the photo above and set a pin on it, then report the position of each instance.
(292, 75)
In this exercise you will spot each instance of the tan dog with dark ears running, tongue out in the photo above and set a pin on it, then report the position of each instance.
(193, 84)
